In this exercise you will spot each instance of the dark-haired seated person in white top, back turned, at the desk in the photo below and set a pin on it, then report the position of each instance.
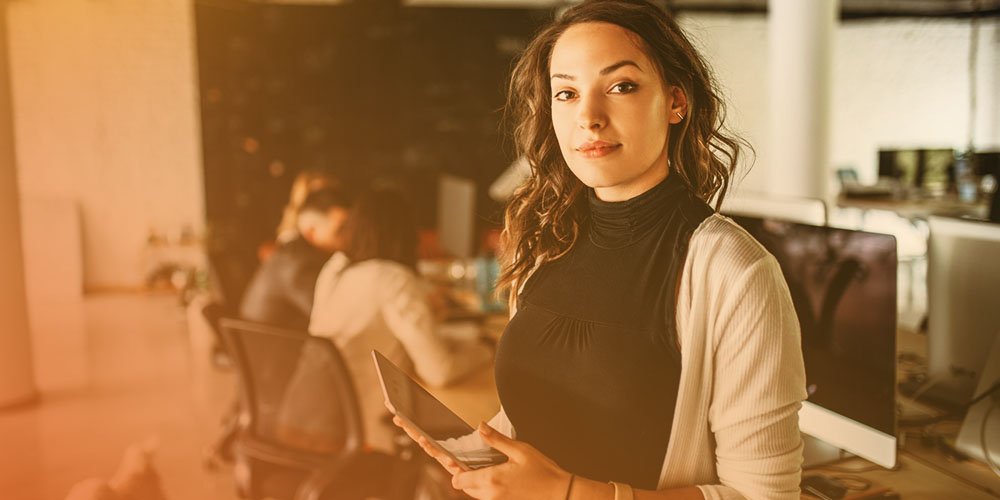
(369, 297)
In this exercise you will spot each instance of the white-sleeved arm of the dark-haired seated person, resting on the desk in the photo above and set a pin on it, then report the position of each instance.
(436, 361)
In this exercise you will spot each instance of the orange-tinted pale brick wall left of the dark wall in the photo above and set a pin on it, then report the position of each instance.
(106, 114)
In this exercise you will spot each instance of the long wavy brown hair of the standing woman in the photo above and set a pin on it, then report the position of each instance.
(543, 217)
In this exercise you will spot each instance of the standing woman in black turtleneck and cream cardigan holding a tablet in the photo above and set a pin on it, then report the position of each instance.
(653, 344)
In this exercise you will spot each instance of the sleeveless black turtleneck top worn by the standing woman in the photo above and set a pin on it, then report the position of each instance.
(588, 369)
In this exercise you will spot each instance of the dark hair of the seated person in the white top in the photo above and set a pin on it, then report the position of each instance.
(381, 225)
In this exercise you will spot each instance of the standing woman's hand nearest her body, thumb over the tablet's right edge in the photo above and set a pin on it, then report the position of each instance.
(527, 474)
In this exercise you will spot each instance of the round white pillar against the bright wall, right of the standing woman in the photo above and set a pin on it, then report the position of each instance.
(801, 36)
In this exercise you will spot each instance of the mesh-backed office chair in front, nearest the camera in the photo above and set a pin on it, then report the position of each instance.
(301, 434)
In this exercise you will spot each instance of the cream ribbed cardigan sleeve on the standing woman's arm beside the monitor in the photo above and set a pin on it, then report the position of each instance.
(757, 388)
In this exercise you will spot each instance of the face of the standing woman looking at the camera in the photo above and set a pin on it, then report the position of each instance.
(611, 110)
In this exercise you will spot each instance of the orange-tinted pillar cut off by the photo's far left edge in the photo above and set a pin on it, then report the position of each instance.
(17, 384)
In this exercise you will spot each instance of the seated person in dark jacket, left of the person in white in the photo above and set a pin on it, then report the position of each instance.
(281, 292)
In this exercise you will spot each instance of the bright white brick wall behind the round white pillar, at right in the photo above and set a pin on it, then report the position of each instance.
(896, 83)
